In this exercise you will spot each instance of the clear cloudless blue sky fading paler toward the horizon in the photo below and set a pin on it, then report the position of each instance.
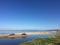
(29, 14)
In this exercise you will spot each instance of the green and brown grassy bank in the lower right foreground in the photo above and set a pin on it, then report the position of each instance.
(44, 41)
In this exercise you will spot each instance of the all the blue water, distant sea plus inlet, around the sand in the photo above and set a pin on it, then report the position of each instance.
(17, 41)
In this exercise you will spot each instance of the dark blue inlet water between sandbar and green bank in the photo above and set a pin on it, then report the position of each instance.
(16, 41)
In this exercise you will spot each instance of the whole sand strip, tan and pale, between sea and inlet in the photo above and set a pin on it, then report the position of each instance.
(20, 34)
